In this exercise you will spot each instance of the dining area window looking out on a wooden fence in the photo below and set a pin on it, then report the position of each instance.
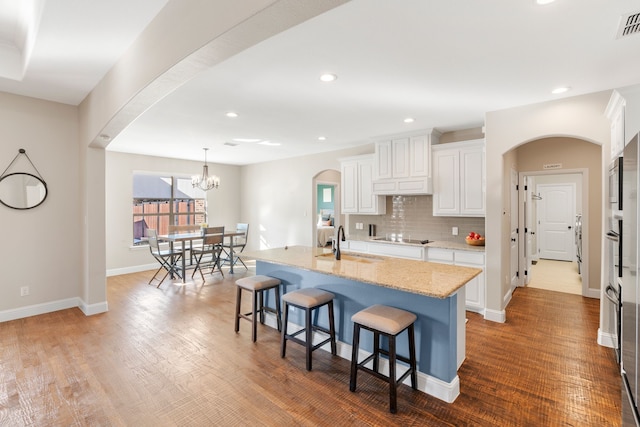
(160, 201)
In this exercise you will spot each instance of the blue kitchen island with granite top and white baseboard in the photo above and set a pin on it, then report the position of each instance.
(433, 291)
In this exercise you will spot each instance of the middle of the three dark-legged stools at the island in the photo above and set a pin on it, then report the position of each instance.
(308, 299)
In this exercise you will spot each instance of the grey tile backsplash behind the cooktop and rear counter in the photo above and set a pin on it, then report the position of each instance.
(412, 216)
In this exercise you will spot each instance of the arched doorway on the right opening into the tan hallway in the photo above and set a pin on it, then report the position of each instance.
(561, 161)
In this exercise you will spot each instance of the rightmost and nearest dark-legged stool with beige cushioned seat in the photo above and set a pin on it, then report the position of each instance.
(390, 322)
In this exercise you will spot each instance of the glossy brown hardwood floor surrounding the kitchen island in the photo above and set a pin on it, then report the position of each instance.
(169, 357)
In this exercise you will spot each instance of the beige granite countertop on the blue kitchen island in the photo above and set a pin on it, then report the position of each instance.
(420, 277)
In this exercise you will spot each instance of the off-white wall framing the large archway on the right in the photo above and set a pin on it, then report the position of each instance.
(580, 117)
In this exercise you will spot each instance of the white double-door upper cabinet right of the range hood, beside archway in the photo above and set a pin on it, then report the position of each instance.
(459, 179)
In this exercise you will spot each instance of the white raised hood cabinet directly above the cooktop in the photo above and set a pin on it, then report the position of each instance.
(402, 165)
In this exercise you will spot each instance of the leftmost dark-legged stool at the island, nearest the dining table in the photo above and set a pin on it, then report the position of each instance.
(257, 285)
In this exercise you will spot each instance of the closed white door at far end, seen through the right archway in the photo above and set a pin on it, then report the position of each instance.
(556, 221)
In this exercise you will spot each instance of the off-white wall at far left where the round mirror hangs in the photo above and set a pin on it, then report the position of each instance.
(41, 247)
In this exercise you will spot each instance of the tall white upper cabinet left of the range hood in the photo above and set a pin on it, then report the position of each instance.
(357, 188)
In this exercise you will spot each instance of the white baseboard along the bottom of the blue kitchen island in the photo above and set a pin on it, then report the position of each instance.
(435, 387)
